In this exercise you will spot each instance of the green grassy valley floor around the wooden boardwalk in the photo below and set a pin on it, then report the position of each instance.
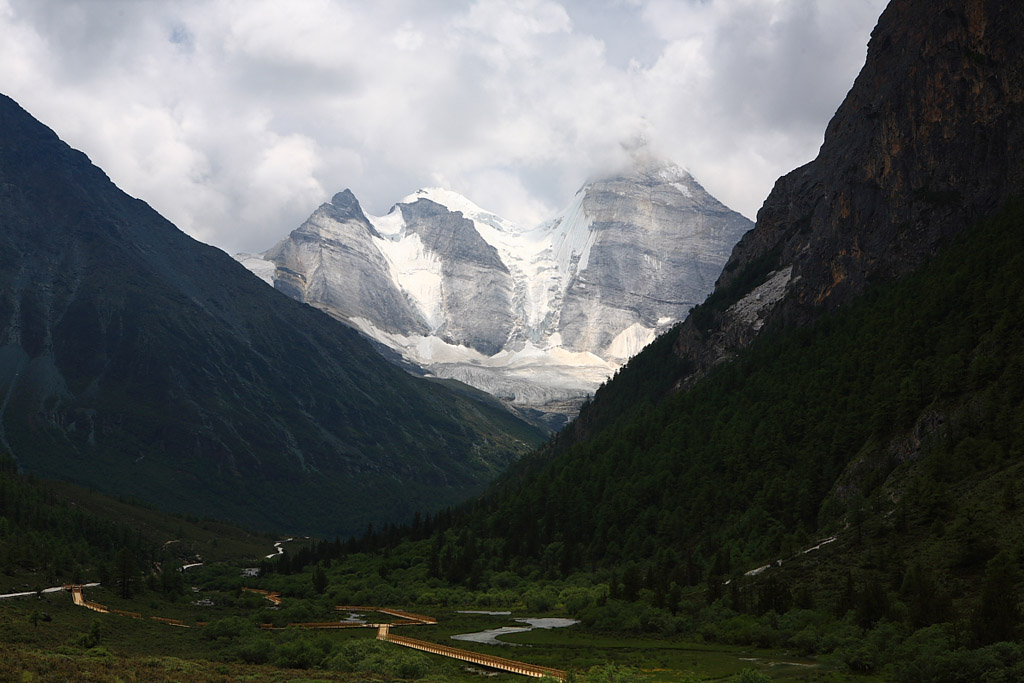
(144, 650)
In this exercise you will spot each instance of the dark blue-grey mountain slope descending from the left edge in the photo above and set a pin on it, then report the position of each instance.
(143, 363)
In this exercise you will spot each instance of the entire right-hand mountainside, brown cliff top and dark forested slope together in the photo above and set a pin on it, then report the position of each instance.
(827, 454)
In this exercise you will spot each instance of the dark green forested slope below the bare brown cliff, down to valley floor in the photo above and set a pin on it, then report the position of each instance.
(895, 425)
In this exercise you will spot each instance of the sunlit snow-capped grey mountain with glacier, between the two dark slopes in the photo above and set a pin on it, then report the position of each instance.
(539, 317)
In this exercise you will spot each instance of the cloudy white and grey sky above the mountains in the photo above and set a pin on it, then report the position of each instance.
(237, 118)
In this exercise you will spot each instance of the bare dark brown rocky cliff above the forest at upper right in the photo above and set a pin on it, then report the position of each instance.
(929, 140)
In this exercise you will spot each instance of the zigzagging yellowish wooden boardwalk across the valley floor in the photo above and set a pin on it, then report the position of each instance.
(383, 633)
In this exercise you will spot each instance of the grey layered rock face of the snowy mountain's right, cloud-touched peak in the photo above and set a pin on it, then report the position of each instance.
(658, 241)
